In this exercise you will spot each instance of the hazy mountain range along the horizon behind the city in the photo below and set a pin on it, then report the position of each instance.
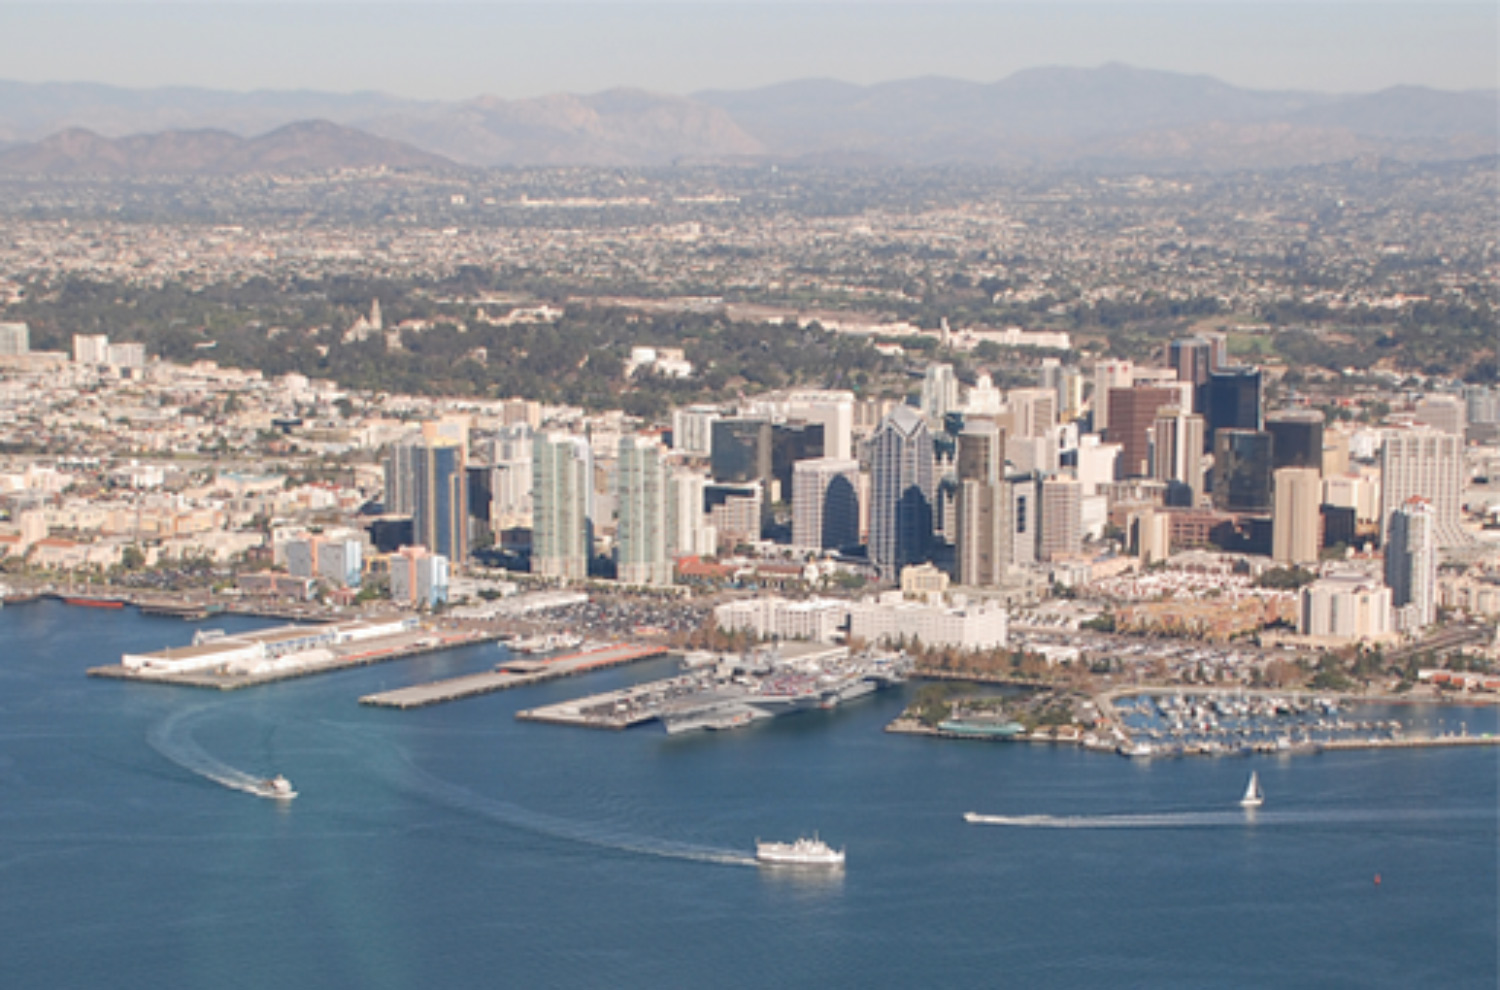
(1108, 118)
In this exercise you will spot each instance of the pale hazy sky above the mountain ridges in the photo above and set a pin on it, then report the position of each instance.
(458, 50)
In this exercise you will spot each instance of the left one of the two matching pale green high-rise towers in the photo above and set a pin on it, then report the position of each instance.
(563, 481)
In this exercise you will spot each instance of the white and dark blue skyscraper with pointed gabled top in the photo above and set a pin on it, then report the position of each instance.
(902, 491)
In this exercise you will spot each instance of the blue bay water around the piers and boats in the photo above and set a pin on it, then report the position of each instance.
(457, 847)
